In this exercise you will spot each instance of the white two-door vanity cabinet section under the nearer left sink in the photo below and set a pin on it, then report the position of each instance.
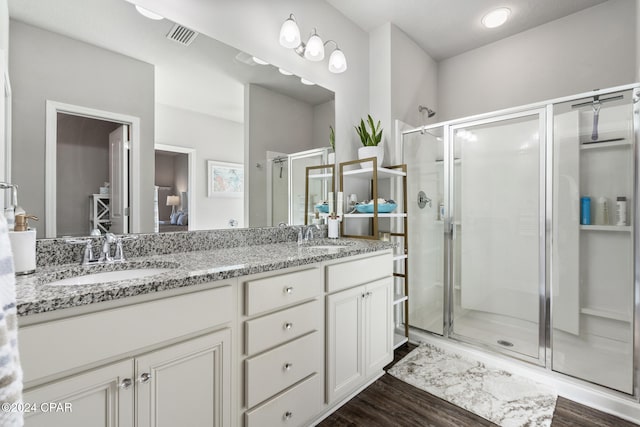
(165, 362)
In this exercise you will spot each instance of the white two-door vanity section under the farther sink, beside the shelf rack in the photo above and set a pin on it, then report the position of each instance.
(359, 323)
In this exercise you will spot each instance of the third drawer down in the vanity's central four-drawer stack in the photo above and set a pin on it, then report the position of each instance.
(275, 370)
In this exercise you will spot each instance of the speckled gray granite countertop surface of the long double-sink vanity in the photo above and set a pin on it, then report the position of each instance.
(34, 295)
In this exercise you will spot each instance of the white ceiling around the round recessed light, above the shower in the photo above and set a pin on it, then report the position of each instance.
(445, 28)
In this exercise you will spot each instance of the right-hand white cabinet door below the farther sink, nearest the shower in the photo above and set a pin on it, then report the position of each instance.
(378, 325)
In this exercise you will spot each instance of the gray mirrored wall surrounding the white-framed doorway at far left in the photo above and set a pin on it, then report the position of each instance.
(47, 66)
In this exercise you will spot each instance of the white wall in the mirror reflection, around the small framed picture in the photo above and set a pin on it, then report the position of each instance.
(213, 139)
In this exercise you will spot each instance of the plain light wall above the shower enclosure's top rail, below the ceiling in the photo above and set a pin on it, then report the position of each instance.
(591, 49)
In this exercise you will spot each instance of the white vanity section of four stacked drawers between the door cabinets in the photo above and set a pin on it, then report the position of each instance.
(283, 367)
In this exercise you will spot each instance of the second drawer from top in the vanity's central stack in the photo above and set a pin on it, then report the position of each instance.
(274, 329)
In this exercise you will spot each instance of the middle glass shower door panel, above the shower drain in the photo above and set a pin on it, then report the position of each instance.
(497, 229)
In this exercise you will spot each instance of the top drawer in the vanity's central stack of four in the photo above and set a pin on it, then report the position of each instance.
(273, 292)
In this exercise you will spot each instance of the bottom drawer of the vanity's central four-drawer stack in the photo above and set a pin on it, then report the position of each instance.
(292, 408)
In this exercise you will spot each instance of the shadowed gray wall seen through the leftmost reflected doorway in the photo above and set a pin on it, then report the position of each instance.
(83, 151)
